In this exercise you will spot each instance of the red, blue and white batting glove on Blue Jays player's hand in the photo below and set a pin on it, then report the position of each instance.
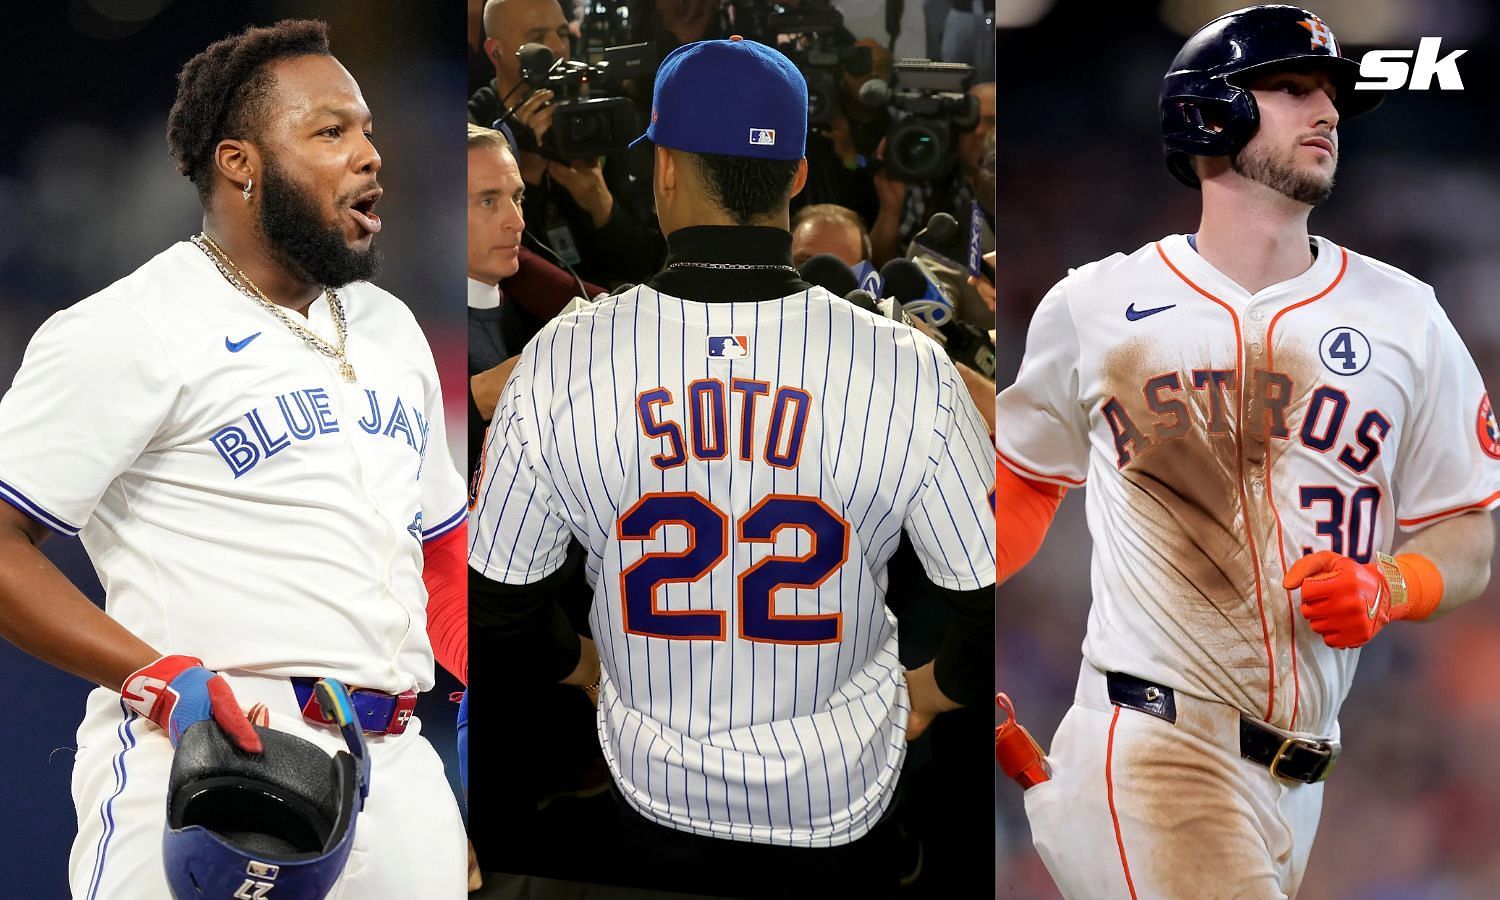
(176, 692)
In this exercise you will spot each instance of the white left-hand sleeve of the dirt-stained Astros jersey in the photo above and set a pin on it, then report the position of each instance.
(1042, 431)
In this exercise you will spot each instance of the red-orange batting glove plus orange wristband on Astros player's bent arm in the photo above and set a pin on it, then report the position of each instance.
(1349, 602)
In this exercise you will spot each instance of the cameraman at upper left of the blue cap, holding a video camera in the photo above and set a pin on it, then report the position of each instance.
(586, 211)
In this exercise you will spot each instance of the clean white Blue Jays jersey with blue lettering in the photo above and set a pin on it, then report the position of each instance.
(241, 502)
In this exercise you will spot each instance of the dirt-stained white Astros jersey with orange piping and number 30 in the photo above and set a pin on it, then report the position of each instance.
(1223, 436)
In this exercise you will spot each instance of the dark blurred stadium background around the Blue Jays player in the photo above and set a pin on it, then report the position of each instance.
(89, 193)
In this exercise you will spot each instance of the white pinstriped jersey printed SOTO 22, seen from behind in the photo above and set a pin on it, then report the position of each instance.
(740, 473)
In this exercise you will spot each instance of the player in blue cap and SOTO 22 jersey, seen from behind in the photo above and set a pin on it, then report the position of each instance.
(739, 452)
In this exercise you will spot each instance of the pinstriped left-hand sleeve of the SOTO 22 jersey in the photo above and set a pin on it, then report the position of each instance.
(518, 530)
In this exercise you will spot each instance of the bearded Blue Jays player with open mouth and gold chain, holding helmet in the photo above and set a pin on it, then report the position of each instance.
(248, 437)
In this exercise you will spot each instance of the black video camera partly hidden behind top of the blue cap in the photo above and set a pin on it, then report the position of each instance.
(814, 37)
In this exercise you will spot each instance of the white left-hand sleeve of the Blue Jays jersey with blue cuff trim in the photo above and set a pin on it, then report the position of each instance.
(92, 394)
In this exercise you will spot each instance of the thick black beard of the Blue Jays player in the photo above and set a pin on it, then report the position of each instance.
(302, 241)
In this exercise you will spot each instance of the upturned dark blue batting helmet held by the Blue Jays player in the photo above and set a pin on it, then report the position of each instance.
(242, 824)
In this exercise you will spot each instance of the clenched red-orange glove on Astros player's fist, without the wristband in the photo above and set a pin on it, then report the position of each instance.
(1343, 601)
